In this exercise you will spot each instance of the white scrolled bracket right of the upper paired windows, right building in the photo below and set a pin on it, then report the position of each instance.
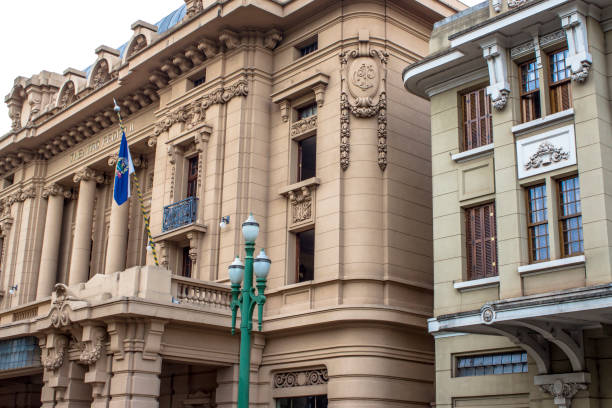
(579, 58)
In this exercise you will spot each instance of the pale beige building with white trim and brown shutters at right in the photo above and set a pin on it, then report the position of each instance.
(520, 133)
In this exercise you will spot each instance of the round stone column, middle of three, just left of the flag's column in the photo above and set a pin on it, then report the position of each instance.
(81, 245)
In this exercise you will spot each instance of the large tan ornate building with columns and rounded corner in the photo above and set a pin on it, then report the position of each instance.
(294, 111)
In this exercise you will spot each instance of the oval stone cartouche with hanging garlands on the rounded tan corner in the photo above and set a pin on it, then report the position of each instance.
(363, 94)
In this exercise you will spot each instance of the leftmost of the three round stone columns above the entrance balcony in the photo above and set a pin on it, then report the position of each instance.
(53, 228)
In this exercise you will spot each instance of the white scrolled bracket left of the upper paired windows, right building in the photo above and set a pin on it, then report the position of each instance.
(499, 88)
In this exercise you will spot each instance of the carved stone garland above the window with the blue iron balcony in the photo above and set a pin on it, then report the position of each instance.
(195, 112)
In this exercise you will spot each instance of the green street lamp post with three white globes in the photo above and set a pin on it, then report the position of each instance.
(246, 299)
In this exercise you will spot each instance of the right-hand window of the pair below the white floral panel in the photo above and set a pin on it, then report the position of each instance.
(570, 217)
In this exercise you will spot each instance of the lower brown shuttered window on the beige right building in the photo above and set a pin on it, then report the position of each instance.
(481, 242)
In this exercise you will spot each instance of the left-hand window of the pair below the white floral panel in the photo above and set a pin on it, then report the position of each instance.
(537, 223)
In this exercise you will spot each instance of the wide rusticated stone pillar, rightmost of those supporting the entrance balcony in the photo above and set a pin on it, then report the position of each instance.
(136, 363)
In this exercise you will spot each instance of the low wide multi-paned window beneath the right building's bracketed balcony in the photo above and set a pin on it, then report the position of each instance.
(491, 364)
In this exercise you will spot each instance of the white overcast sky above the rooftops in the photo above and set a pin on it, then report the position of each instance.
(54, 35)
